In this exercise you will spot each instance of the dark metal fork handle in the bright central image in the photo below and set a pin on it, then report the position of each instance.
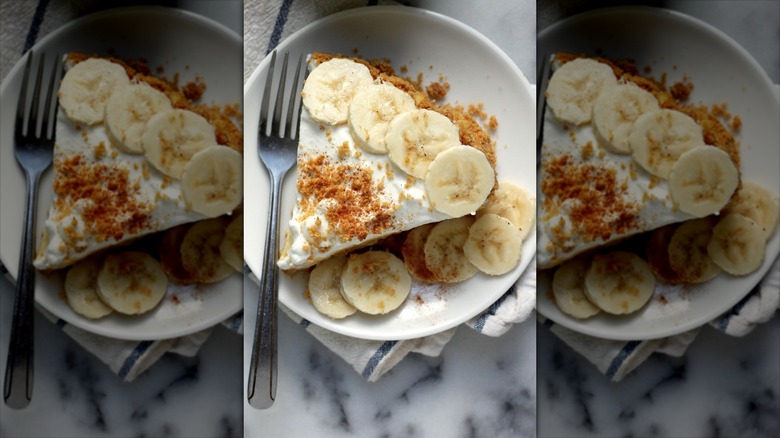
(261, 388)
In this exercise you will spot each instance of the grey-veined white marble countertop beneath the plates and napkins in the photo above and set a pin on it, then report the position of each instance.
(478, 387)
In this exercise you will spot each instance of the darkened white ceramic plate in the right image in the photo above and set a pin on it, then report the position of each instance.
(722, 72)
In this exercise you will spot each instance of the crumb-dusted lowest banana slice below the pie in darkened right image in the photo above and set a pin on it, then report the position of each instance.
(619, 282)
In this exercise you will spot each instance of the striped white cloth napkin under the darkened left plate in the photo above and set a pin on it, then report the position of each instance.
(23, 24)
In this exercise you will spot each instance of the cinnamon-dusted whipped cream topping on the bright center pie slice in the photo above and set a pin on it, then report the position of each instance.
(347, 197)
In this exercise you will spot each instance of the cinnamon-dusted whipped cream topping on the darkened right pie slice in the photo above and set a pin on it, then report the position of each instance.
(589, 197)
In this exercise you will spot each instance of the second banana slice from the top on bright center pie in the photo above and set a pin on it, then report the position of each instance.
(371, 111)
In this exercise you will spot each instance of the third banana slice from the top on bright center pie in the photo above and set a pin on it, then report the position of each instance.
(415, 138)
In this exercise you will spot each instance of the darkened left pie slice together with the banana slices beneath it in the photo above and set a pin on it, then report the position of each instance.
(136, 155)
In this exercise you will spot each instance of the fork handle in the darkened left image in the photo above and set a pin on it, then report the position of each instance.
(19, 367)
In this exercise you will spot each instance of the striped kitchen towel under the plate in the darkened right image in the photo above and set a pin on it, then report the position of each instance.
(616, 359)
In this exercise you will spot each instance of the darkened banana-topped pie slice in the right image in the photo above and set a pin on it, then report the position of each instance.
(605, 176)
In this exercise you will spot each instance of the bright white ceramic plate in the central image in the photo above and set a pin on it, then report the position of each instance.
(478, 71)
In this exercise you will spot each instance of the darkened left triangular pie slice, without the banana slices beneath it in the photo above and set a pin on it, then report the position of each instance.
(109, 189)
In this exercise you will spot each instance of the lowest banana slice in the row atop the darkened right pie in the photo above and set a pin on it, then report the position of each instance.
(702, 181)
